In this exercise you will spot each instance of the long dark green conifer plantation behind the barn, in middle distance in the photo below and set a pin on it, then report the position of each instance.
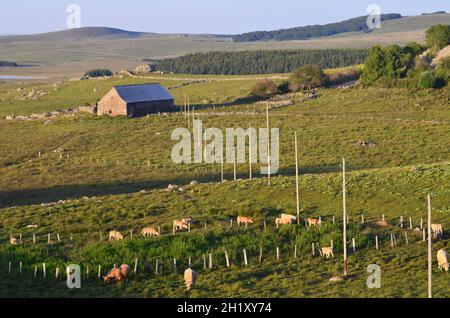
(260, 62)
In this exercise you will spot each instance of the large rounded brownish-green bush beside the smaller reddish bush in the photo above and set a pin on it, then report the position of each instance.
(307, 77)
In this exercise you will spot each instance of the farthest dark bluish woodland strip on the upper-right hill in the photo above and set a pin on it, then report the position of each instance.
(312, 31)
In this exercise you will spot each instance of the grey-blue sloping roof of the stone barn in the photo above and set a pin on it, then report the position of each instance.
(143, 93)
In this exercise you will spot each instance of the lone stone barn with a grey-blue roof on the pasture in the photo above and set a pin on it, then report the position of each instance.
(136, 101)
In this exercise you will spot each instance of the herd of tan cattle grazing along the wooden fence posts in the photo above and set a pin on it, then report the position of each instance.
(190, 276)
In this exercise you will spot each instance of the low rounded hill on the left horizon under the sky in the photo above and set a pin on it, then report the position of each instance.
(79, 33)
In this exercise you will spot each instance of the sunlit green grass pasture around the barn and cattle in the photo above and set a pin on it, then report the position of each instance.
(114, 159)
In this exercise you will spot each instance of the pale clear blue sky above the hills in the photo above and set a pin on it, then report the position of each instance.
(196, 16)
